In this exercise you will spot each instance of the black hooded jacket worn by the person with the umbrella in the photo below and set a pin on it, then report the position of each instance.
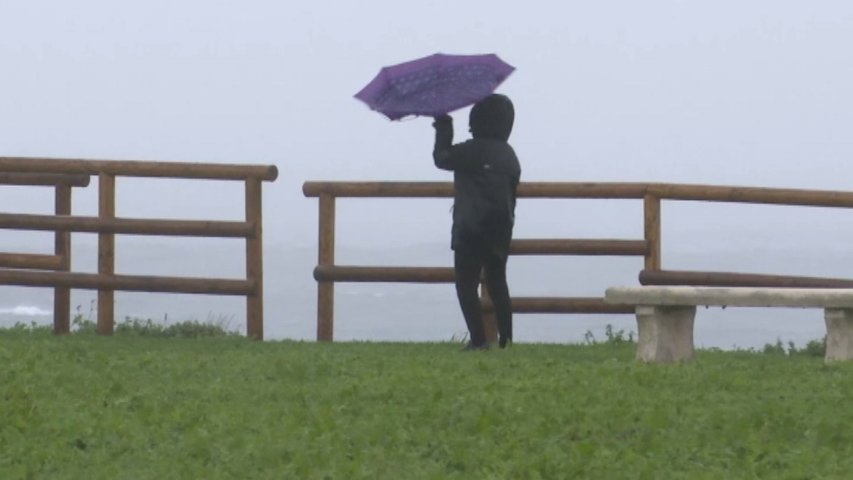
(486, 173)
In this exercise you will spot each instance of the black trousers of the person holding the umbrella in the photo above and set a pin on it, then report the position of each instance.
(469, 262)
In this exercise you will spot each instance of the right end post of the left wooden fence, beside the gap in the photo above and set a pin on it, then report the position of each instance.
(254, 261)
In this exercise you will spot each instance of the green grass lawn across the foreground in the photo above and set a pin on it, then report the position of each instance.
(86, 407)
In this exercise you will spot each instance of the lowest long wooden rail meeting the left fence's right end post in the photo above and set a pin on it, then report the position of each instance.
(130, 283)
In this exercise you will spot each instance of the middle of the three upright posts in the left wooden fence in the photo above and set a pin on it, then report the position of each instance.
(106, 253)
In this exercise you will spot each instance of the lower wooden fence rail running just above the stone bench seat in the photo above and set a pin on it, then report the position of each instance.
(730, 279)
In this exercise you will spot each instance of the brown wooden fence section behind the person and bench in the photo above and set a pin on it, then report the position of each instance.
(327, 272)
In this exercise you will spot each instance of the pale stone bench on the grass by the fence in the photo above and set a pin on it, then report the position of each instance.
(665, 315)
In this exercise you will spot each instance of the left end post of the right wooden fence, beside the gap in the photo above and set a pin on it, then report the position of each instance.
(326, 257)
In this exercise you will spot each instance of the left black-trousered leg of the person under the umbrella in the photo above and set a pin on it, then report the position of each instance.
(468, 266)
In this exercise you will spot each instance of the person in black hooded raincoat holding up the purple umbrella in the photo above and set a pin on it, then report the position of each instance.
(486, 173)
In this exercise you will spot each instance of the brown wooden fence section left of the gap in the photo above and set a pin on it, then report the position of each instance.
(16, 269)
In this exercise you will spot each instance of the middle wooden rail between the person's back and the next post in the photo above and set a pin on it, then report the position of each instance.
(578, 247)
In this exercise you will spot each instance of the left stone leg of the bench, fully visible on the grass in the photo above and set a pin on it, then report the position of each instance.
(665, 333)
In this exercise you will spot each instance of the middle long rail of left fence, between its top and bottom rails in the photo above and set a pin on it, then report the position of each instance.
(202, 228)
